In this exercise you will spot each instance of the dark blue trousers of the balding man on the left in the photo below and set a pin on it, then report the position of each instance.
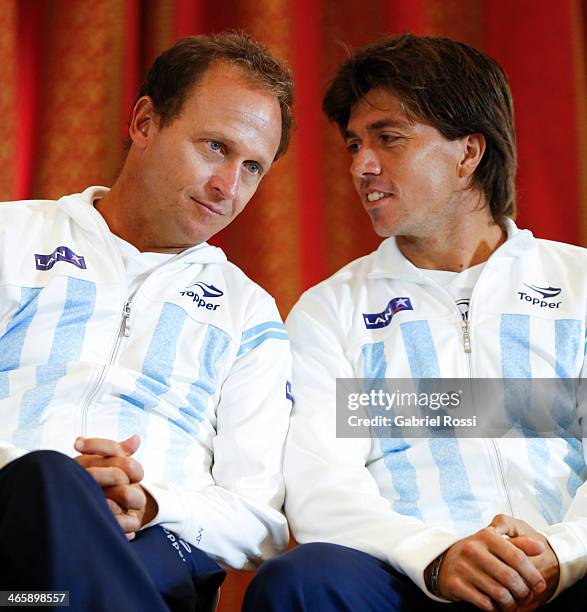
(58, 534)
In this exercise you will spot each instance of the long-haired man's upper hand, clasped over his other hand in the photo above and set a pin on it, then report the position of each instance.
(488, 571)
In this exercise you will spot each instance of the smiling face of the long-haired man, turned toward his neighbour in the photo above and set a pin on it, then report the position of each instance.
(405, 172)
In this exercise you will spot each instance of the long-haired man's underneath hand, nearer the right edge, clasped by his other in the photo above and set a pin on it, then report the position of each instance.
(546, 563)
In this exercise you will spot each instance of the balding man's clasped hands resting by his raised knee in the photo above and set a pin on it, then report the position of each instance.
(112, 467)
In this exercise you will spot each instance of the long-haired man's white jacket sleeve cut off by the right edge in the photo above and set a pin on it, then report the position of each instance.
(568, 538)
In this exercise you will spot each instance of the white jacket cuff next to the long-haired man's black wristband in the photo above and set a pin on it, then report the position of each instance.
(420, 552)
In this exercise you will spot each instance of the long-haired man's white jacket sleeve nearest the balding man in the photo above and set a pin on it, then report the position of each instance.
(331, 495)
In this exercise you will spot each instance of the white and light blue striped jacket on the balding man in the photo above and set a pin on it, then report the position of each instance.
(196, 364)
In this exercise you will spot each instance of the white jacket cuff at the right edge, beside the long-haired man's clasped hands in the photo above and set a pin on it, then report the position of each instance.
(571, 553)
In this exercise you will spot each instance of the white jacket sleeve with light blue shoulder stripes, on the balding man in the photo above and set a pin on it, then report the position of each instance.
(237, 520)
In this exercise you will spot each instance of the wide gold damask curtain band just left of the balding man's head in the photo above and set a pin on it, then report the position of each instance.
(77, 130)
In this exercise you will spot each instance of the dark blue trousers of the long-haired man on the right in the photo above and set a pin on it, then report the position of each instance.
(324, 577)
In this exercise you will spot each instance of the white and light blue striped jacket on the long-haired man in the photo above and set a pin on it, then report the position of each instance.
(407, 500)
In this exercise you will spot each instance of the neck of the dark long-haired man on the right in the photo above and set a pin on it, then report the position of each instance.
(455, 248)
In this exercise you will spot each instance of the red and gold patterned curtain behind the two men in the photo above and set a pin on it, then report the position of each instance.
(69, 71)
